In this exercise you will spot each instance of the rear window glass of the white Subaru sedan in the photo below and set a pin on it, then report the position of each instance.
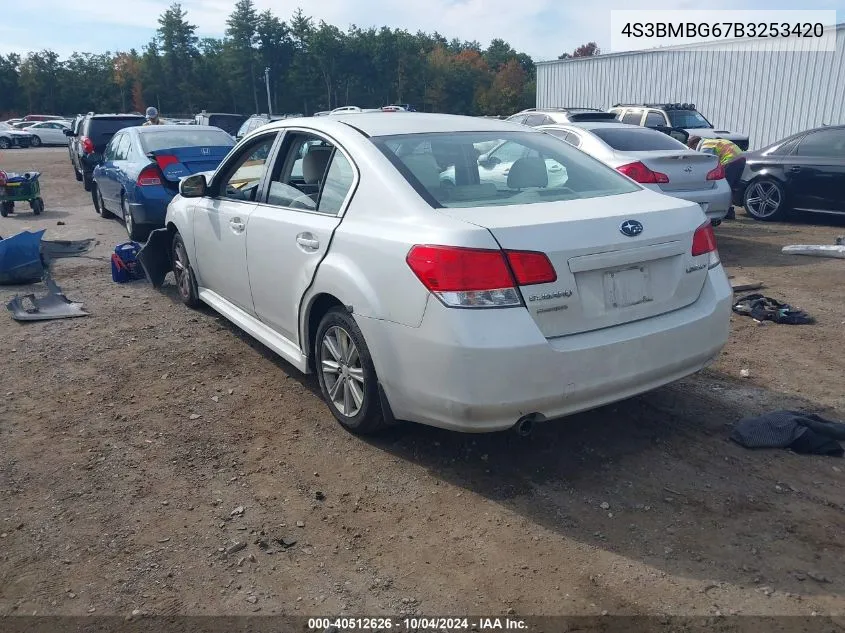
(483, 169)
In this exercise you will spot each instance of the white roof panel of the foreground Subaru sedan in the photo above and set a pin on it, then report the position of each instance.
(395, 123)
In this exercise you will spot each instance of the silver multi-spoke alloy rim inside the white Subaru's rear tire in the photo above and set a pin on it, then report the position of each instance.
(342, 371)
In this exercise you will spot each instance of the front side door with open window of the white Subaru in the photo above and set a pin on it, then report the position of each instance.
(221, 222)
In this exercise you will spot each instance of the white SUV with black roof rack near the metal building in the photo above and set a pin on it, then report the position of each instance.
(675, 115)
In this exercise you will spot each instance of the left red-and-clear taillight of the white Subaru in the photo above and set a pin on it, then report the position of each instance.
(478, 278)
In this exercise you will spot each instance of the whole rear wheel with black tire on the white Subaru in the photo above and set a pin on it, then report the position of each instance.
(346, 374)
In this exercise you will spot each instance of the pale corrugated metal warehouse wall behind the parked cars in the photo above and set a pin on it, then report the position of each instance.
(767, 94)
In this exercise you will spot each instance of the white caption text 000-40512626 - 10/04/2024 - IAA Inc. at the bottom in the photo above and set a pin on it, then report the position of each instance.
(417, 624)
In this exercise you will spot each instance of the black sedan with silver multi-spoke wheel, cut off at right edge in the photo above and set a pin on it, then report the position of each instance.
(804, 172)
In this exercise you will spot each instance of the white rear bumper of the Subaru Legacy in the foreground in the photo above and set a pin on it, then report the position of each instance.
(480, 371)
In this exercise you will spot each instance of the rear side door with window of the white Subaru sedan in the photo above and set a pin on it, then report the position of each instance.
(290, 231)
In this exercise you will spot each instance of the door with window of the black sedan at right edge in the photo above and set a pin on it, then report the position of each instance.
(815, 172)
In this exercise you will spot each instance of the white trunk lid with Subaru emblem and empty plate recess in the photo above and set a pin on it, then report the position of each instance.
(604, 277)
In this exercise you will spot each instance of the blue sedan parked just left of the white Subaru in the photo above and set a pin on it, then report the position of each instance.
(142, 166)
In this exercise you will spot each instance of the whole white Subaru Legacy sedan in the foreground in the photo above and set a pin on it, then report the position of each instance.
(480, 301)
